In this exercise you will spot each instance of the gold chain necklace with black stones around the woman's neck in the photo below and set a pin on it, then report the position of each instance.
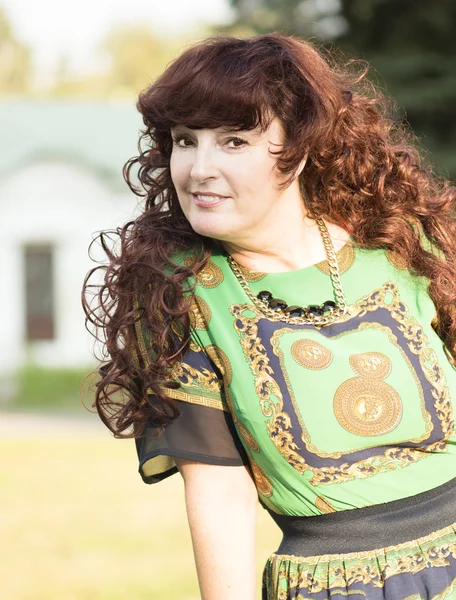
(315, 315)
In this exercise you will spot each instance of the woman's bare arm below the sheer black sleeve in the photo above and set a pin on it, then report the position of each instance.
(222, 509)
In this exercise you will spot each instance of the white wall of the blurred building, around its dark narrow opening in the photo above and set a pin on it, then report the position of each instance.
(61, 204)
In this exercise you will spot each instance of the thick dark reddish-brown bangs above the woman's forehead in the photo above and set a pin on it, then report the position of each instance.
(218, 86)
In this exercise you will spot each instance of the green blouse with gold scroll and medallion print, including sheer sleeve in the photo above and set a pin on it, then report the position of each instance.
(351, 414)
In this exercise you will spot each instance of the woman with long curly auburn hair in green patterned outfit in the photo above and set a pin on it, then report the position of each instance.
(281, 323)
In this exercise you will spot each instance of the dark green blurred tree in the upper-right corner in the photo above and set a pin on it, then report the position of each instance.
(410, 43)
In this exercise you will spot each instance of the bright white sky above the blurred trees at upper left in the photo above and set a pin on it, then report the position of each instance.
(55, 27)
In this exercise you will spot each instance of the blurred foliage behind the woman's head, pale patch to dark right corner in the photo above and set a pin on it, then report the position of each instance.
(409, 44)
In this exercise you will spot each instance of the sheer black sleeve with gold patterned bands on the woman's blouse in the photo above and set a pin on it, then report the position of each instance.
(204, 431)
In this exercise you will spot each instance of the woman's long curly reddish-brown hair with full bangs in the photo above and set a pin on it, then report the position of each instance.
(364, 172)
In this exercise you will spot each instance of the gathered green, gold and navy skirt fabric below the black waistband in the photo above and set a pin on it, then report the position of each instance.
(421, 569)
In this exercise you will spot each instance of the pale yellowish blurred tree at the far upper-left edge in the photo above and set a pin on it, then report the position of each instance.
(15, 60)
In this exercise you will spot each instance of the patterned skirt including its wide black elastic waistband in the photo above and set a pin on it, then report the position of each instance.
(401, 550)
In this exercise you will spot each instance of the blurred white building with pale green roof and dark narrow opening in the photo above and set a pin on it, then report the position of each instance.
(61, 182)
